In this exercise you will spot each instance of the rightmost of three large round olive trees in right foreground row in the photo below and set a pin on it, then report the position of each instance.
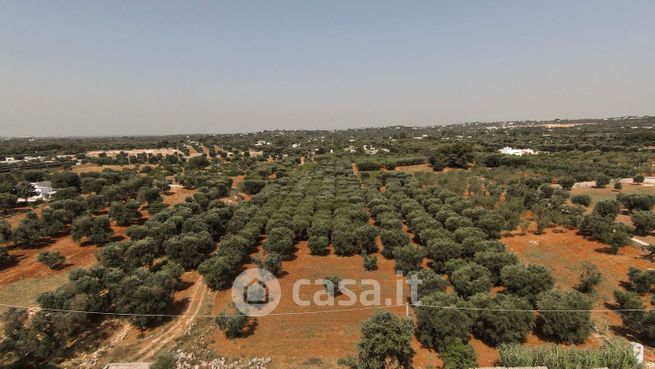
(566, 326)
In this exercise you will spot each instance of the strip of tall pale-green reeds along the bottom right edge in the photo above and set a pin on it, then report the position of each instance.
(614, 354)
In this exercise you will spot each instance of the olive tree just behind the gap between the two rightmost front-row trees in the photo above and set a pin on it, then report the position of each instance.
(528, 281)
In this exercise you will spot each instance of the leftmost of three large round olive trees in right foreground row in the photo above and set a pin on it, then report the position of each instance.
(437, 327)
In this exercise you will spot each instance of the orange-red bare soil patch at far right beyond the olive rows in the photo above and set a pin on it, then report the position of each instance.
(565, 254)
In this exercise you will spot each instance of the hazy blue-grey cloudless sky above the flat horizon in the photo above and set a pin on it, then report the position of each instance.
(130, 67)
